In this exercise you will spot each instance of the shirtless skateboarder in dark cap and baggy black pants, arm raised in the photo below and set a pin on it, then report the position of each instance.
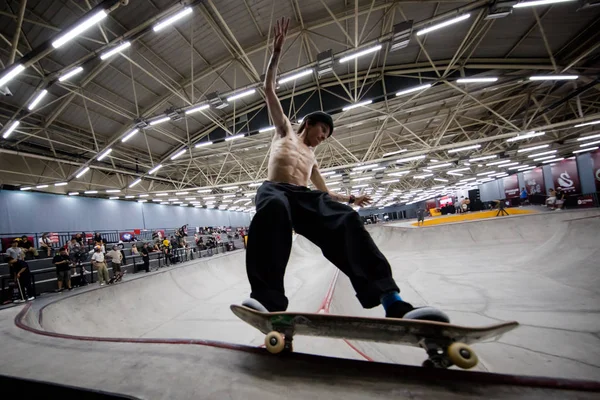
(284, 202)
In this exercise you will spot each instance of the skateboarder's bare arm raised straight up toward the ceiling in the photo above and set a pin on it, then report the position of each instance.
(282, 124)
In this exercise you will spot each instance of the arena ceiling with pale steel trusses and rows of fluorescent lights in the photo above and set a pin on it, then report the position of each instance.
(410, 100)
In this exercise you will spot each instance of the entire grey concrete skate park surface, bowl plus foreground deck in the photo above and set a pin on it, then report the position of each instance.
(170, 334)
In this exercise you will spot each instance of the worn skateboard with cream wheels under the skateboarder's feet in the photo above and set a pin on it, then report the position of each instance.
(445, 344)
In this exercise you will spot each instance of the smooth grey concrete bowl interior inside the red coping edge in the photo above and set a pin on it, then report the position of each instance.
(525, 268)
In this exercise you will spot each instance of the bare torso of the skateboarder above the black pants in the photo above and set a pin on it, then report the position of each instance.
(290, 161)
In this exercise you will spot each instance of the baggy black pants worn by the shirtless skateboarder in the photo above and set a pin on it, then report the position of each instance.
(335, 227)
